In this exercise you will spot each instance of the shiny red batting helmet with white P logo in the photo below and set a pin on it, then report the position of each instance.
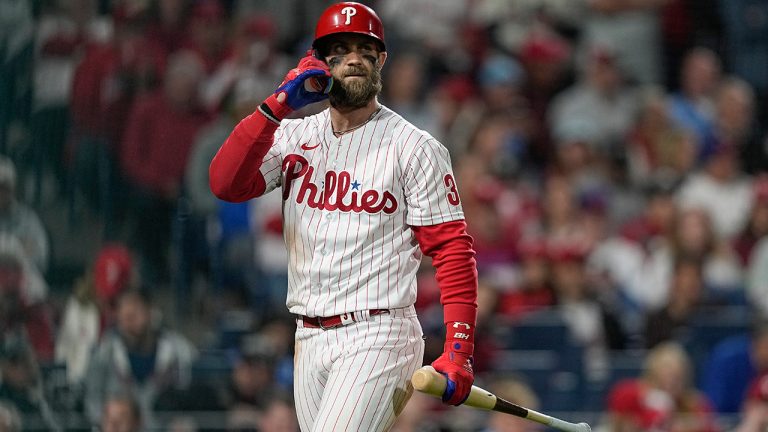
(349, 17)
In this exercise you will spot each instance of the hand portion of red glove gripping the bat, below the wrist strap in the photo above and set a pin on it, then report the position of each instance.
(456, 366)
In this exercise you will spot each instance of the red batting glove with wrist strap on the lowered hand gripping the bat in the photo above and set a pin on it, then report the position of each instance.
(456, 362)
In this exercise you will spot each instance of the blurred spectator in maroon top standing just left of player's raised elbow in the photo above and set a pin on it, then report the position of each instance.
(160, 134)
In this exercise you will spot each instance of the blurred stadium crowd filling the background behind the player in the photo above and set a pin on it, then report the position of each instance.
(611, 155)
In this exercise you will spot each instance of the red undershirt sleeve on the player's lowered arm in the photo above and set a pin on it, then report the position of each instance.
(450, 248)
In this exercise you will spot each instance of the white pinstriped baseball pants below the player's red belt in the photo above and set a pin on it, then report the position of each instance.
(356, 377)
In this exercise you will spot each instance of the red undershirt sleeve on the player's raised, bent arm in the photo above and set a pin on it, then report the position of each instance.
(234, 172)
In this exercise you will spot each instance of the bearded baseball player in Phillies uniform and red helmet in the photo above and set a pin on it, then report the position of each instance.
(365, 195)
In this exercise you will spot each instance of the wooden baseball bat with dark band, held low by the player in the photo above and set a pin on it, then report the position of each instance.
(428, 380)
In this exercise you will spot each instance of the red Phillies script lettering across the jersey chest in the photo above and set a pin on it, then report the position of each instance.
(335, 193)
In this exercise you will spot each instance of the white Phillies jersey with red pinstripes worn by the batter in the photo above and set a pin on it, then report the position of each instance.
(348, 204)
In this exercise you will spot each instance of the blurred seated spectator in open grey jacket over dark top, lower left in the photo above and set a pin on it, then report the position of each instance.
(138, 357)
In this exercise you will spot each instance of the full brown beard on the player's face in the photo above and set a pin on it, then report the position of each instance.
(355, 93)
